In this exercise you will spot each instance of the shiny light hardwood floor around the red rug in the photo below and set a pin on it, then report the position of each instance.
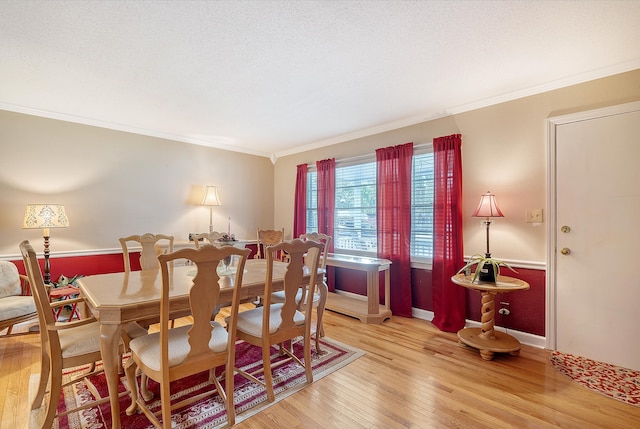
(412, 376)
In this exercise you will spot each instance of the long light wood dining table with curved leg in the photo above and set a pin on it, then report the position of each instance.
(118, 298)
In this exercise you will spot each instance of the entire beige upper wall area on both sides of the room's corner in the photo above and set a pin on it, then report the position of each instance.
(115, 183)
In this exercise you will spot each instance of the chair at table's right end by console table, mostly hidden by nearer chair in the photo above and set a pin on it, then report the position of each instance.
(320, 296)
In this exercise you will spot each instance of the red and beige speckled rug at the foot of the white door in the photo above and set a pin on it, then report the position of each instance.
(616, 382)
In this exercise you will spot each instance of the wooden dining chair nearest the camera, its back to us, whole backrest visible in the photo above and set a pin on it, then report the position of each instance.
(173, 354)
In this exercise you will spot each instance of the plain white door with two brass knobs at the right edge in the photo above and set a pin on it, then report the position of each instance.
(595, 263)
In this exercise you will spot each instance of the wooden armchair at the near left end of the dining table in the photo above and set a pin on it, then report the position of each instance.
(63, 344)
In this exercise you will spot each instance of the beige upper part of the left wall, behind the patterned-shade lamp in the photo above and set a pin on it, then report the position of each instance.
(115, 184)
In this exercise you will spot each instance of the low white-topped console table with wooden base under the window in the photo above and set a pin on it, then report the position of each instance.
(369, 311)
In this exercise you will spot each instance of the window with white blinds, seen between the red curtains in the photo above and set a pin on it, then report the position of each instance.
(355, 218)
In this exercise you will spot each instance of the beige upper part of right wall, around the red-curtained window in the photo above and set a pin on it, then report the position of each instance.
(504, 151)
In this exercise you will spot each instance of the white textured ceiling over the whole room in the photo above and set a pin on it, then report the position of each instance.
(276, 77)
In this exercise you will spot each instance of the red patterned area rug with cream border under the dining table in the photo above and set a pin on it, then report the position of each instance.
(250, 398)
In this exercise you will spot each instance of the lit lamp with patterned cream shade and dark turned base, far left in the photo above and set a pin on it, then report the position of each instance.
(45, 216)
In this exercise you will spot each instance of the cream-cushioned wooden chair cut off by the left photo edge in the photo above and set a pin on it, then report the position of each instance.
(16, 303)
